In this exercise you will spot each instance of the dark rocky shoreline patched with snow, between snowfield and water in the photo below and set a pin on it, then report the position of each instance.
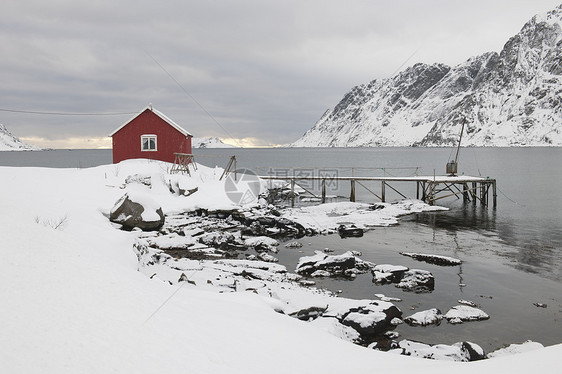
(234, 251)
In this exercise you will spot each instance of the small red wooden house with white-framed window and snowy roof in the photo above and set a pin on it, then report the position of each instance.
(150, 134)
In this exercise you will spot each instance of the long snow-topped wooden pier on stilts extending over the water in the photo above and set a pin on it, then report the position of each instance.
(428, 188)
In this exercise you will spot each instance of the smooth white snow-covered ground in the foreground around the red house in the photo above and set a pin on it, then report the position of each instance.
(74, 300)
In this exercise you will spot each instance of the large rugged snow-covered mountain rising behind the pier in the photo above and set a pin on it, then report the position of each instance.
(513, 98)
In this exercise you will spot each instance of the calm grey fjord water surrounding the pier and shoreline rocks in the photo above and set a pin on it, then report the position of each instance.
(512, 255)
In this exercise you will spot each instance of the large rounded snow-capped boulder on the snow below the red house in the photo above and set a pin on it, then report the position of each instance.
(137, 211)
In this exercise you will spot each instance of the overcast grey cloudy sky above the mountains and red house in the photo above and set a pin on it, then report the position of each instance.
(264, 70)
